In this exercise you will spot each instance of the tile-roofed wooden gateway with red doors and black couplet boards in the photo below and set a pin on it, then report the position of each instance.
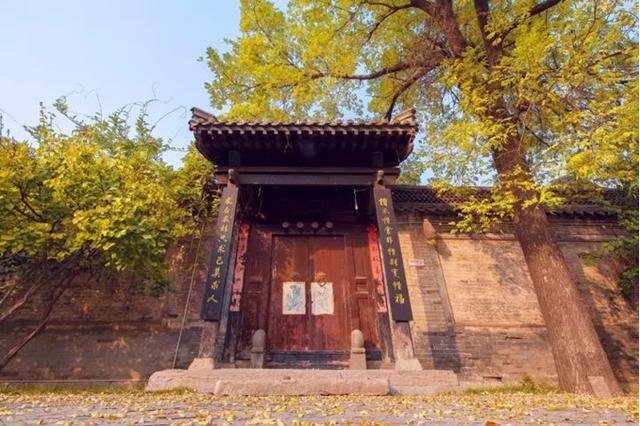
(317, 251)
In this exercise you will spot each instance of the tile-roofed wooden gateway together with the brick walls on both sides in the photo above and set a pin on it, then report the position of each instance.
(318, 260)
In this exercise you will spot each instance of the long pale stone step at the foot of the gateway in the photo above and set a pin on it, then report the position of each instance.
(262, 382)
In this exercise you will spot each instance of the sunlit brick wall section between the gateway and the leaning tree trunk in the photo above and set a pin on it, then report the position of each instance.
(483, 321)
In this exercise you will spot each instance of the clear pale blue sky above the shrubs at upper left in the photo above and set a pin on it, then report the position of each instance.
(118, 51)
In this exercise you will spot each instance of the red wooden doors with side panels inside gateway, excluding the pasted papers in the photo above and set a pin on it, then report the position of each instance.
(308, 340)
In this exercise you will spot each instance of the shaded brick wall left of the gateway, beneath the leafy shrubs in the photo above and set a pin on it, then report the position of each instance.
(105, 329)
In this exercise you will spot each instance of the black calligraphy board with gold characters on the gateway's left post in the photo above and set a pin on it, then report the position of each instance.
(220, 255)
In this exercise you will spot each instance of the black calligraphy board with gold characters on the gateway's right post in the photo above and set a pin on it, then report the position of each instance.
(391, 256)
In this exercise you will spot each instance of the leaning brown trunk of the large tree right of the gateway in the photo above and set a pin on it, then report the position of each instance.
(581, 363)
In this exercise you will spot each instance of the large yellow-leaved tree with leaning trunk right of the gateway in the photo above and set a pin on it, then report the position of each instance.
(517, 92)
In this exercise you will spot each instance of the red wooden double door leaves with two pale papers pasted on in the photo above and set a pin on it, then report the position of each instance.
(308, 304)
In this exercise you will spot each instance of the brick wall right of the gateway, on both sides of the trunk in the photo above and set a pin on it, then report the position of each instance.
(476, 311)
